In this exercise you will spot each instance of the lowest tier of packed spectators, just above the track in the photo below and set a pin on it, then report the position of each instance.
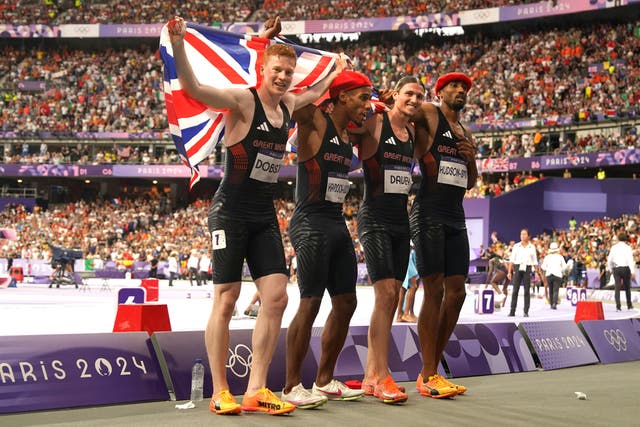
(137, 229)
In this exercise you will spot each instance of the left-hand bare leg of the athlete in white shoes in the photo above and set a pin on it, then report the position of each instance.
(298, 336)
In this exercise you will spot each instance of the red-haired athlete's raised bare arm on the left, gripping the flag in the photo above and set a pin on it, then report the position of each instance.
(213, 97)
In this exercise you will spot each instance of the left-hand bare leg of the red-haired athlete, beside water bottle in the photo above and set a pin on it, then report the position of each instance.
(217, 332)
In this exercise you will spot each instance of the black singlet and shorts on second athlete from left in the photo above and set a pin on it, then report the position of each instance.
(326, 257)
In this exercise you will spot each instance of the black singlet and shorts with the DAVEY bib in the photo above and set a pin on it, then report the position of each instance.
(383, 224)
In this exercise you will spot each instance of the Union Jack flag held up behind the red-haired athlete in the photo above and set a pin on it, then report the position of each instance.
(224, 60)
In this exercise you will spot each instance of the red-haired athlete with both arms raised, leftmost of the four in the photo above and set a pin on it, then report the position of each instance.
(242, 218)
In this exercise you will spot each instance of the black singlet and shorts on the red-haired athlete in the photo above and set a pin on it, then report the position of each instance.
(242, 218)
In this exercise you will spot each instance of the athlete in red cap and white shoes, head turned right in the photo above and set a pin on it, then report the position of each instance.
(323, 245)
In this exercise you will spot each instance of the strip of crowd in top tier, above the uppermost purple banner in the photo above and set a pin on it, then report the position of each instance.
(58, 12)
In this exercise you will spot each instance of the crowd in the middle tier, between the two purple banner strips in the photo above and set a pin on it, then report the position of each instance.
(584, 72)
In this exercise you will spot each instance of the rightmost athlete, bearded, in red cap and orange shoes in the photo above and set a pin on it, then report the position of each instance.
(446, 155)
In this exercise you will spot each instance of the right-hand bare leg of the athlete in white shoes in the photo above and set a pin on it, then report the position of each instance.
(334, 334)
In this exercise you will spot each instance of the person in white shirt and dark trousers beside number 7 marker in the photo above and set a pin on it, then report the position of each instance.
(524, 259)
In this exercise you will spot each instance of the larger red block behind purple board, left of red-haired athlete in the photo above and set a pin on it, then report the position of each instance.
(142, 317)
